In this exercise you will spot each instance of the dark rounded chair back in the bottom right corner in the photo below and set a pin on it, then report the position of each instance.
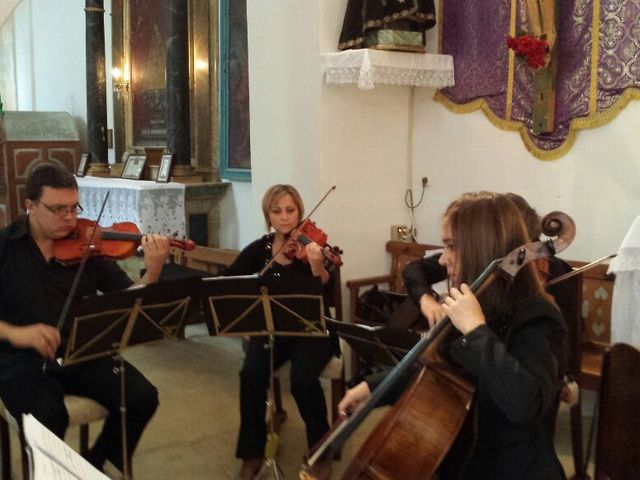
(617, 445)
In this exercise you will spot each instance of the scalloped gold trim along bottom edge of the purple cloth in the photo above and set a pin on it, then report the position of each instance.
(598, 119)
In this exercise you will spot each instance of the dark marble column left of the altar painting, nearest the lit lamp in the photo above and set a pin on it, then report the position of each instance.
(96, 87)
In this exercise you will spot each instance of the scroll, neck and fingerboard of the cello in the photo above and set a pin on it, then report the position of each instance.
(554, 224)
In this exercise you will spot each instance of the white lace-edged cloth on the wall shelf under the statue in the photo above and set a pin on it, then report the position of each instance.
(368, 67)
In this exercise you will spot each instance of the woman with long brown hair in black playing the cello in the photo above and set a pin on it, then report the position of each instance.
(512, 344)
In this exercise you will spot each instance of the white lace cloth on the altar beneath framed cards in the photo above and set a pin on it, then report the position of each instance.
(154, 207)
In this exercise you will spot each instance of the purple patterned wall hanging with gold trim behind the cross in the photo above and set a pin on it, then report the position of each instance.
(475, 33)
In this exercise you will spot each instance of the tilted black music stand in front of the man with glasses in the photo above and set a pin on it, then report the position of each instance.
(104, 325)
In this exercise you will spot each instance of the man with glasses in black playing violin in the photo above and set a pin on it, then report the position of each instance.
(33, 290)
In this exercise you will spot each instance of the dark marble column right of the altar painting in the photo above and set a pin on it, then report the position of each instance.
(178, 129)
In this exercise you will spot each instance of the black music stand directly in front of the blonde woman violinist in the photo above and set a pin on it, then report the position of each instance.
(266, 306)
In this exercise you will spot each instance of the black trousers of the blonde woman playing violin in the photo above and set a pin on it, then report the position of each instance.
(308, 358)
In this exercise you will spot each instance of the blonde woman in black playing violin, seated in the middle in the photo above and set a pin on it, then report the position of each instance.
(283, 209)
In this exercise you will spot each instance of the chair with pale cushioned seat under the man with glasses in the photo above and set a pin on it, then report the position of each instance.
(82, 411)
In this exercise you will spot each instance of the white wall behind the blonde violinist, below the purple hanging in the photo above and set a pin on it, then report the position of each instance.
(359, 140)
